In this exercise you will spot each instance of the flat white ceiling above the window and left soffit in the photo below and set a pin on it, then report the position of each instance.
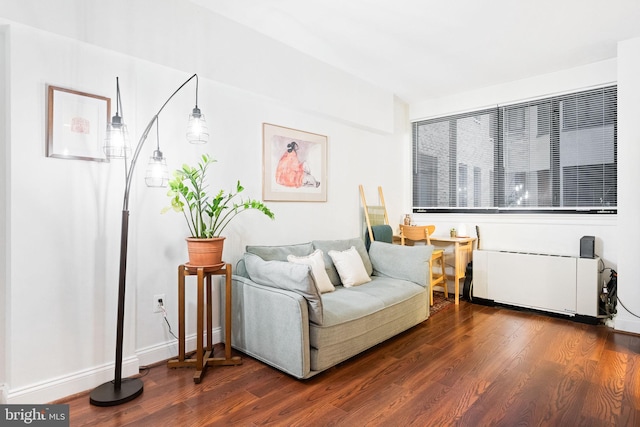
(421, 49)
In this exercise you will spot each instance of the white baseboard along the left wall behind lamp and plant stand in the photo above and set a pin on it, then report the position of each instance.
(61, 387)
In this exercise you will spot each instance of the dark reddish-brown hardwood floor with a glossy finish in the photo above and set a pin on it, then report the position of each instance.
(469, 365)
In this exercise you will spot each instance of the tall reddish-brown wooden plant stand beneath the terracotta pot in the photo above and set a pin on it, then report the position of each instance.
(203, 356)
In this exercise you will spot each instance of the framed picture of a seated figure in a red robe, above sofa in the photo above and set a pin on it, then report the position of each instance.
(294, 165)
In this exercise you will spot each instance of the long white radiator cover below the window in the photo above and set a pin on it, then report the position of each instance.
(553, 283)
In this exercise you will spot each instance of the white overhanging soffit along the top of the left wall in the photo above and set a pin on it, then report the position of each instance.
(185, 36)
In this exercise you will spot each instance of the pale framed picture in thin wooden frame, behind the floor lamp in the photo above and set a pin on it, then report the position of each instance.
(76, 124)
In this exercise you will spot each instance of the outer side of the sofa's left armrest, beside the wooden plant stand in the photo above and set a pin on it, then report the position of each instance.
(269, 324)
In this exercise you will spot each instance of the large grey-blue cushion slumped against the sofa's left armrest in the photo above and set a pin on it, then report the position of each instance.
(287, 275)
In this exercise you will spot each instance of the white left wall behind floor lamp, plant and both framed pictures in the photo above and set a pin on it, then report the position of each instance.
(63, 289)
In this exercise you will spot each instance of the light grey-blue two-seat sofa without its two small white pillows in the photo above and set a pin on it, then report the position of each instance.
(271, 310)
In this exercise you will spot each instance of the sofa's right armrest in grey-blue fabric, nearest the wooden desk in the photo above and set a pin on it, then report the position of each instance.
(401, 262)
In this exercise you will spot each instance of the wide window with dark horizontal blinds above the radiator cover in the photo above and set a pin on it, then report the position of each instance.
(555, 154)
